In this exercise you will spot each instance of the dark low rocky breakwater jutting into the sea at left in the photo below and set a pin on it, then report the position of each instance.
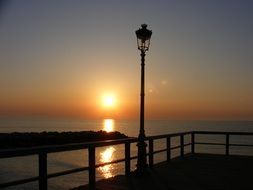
(31, 139)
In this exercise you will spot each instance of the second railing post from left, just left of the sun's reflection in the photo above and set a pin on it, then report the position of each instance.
(92, 169)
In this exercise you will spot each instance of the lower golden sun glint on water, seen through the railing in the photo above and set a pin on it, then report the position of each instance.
(107, 156)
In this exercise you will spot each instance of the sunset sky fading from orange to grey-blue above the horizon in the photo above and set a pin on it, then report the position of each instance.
(80, 59)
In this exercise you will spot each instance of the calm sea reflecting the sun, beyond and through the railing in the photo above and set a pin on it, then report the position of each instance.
(27, 166)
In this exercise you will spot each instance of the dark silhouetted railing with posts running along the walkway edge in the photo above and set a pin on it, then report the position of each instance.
(43, 151)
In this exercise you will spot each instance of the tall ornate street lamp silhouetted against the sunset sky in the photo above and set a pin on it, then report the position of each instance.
(143, 42)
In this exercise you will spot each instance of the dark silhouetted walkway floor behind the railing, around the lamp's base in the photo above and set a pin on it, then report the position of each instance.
(194, 172)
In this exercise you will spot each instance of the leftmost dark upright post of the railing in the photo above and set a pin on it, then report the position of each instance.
(43, 171)
